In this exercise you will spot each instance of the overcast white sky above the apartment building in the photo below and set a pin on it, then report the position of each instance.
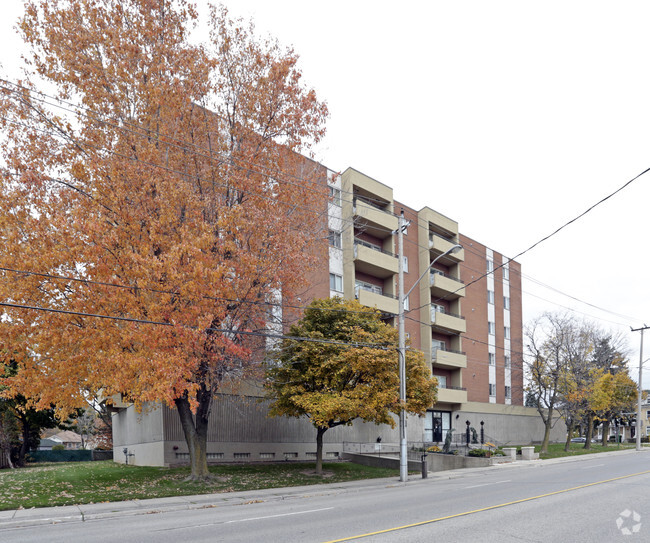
(510, 117)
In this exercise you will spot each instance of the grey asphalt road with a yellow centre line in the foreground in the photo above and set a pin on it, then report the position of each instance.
(599, 498)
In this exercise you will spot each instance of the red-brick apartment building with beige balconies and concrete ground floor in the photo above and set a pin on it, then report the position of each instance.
(465, 315)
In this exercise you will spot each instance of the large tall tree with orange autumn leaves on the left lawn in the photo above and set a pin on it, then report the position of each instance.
(152, 204)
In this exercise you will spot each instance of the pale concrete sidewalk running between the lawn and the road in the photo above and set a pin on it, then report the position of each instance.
(81, 513)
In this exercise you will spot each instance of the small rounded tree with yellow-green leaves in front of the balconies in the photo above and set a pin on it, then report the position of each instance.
(335, 383)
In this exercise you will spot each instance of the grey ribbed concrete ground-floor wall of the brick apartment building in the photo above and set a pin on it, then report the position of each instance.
(241, 431)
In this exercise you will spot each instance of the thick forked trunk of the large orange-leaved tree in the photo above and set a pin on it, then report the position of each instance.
(195, 429)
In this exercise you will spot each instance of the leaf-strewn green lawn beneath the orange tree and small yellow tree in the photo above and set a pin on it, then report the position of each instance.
(42, 485)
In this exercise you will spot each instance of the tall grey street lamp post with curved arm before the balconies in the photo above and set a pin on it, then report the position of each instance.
(403, 459)
